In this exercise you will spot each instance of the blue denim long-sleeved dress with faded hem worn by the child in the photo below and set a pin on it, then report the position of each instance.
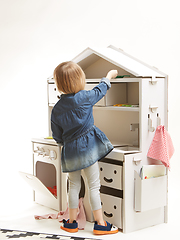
(72, 125)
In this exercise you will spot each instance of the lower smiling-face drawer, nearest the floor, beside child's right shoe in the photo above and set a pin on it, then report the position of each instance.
(112, 209)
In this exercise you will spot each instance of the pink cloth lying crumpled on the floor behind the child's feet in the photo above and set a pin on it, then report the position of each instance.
(81, 217)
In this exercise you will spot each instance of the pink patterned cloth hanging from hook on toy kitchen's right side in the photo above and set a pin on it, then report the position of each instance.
(161, 147)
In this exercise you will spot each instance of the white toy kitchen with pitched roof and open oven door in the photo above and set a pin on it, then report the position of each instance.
(129, 115)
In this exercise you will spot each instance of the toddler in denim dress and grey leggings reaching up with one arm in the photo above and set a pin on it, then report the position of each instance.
(72, 125)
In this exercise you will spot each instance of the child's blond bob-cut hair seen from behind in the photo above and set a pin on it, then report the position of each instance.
(69, 77)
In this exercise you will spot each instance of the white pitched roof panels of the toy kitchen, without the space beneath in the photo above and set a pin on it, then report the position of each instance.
(118, 58)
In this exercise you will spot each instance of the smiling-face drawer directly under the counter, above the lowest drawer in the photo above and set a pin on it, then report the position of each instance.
(111, 175)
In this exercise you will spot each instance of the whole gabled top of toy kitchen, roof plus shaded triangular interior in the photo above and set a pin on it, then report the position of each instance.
(96, 63)
